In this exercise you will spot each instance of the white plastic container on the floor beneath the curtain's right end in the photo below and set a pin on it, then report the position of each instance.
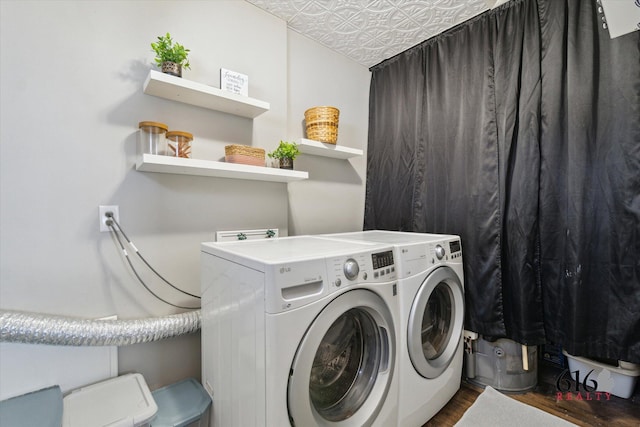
(611, 379)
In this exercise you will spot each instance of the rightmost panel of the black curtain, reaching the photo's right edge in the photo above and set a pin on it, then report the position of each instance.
(590, 183)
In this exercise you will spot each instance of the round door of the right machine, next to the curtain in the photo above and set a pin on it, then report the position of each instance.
(435, 322)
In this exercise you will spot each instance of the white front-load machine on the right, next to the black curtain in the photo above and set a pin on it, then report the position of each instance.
(430, 344)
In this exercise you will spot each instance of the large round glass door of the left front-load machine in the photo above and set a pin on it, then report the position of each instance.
(344, 364)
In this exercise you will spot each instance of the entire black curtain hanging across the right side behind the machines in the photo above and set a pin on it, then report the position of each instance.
(519, 131)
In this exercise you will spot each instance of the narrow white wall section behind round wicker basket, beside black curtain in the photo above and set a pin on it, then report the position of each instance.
(332, 200)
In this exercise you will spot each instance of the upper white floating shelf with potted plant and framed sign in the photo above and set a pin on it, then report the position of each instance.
(188, 92)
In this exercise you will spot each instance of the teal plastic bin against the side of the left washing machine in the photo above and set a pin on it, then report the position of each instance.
(182, 404)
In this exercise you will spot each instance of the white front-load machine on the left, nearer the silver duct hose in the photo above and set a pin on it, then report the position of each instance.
(299, 331)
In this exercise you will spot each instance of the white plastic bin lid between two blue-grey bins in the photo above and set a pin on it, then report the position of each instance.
(124, 401)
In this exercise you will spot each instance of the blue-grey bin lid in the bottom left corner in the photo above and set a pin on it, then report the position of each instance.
(41, 408)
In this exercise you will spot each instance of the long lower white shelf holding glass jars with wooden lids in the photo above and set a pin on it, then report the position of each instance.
(182, 166)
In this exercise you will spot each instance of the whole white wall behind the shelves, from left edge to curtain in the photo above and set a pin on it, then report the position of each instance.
(71, 83)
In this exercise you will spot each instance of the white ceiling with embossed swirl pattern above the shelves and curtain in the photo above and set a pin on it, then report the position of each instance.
(370, 31)
